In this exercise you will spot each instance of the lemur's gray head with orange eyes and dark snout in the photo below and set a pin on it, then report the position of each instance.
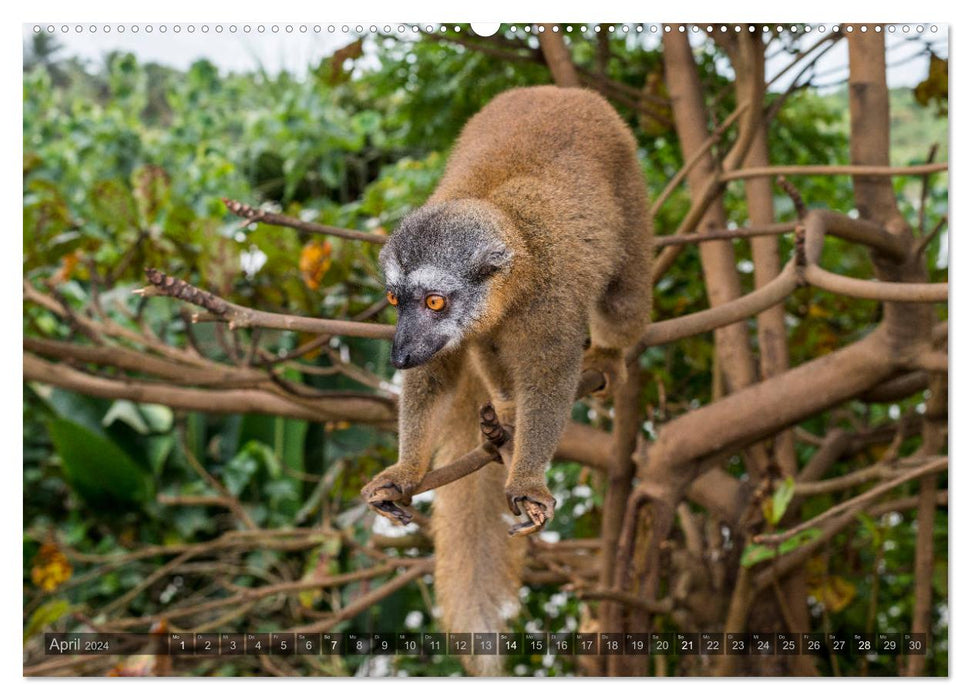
(437, 266)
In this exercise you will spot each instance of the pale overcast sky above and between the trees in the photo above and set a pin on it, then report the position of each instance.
(294, 47)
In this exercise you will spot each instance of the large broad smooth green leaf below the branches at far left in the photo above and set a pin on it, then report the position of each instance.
(97, 469)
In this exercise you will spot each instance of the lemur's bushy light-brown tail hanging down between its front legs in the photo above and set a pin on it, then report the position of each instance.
(478, 566)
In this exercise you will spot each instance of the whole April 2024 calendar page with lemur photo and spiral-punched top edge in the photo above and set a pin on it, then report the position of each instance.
(592, 349)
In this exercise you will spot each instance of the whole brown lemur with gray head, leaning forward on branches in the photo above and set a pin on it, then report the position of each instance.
(537, 236)
